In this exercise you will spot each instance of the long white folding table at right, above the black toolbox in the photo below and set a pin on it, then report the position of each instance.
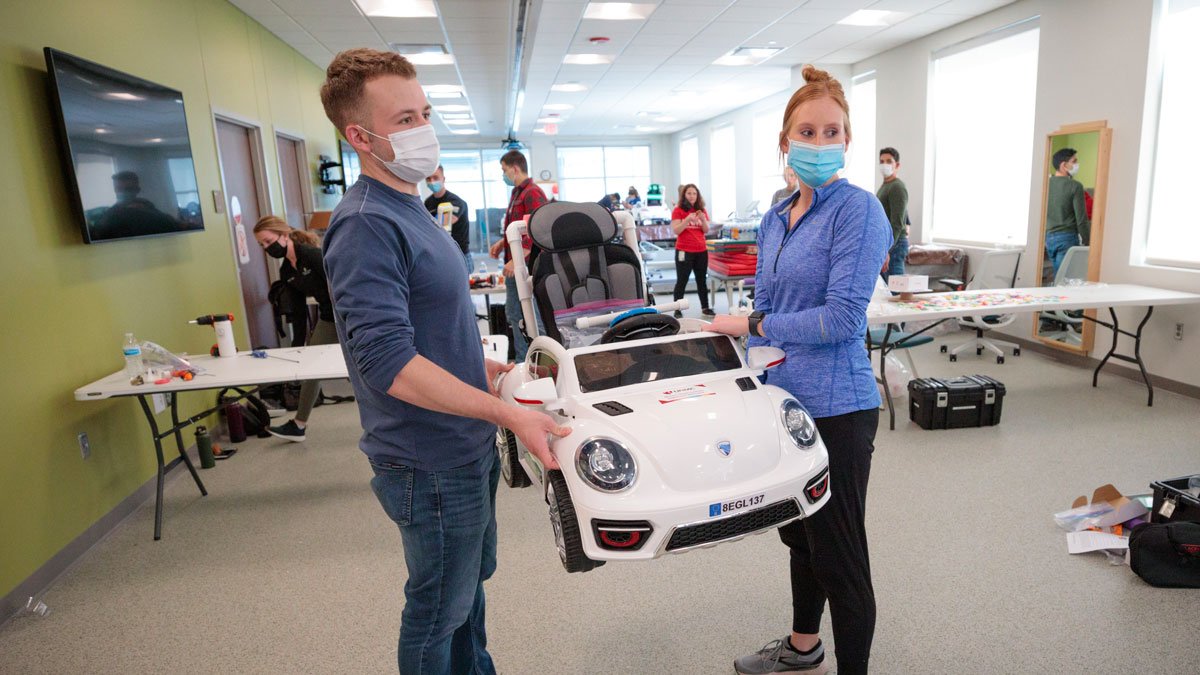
(945, 307)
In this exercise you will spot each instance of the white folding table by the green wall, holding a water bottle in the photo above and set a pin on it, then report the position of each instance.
(289, 365)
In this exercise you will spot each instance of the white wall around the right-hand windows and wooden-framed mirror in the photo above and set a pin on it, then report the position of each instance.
(1093, 65)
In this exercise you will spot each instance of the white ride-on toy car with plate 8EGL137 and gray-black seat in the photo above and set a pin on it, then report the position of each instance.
(675, 444)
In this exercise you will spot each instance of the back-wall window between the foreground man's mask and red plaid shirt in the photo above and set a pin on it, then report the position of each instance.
(476, 177)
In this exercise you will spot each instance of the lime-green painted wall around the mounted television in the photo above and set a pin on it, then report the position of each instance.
(67, 306)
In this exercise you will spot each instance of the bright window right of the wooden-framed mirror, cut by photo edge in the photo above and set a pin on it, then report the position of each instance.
(1173, 237)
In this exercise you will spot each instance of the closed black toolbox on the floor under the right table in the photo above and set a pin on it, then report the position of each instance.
(959, 403)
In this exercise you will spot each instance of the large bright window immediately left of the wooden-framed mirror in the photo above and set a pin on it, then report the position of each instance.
(983, 98)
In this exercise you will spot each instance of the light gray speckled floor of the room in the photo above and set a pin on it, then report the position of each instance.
(290, 565)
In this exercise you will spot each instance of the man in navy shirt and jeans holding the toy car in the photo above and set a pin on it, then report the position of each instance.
(407, 328)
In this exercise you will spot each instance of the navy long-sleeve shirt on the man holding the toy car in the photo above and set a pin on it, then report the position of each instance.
(399, 285)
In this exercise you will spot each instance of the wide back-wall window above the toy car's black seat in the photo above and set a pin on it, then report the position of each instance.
(586, 175)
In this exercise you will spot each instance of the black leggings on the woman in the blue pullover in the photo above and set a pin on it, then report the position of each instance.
(829, 558)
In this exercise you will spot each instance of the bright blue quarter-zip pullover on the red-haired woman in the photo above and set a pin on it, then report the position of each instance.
(814, 284)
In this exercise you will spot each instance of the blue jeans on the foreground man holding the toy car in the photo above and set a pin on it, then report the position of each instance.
(448, 527)
